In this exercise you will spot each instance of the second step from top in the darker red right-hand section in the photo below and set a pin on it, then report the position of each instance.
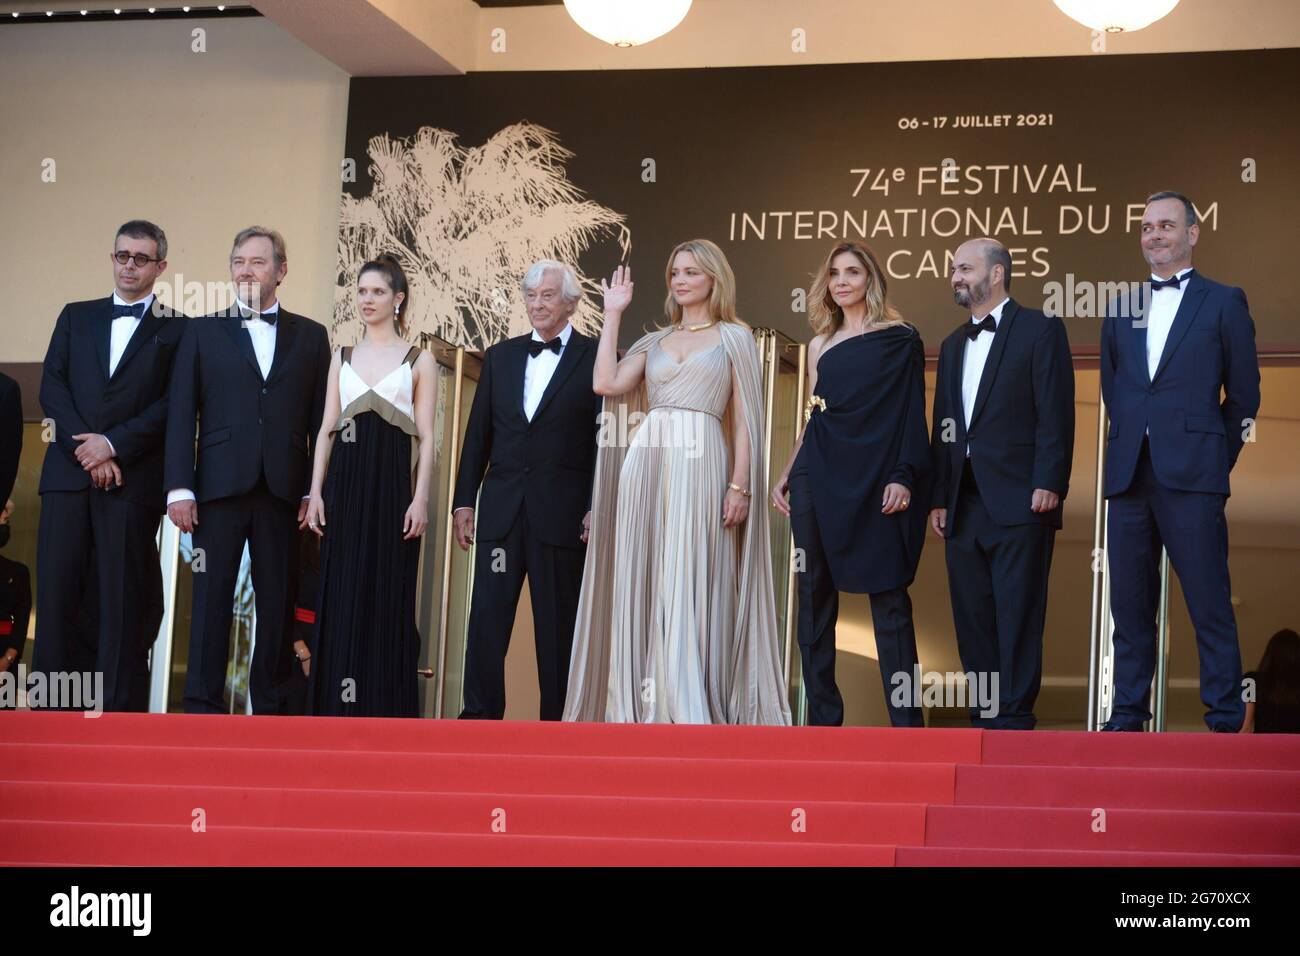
(1117, 788)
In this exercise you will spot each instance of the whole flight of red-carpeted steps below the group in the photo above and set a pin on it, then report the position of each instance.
(128, 789)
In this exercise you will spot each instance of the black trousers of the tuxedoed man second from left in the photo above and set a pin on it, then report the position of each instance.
(270, 526)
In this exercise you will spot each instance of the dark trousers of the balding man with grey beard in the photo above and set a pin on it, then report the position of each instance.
(998, 578)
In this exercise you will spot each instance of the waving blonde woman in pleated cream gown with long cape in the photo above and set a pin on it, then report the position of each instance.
(677, 621)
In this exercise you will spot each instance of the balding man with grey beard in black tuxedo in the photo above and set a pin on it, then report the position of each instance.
(1003, 445)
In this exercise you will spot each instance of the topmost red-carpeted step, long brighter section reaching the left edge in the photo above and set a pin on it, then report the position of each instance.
(878, 745)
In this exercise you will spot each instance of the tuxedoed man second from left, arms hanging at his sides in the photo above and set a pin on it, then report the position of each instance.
(255, 378)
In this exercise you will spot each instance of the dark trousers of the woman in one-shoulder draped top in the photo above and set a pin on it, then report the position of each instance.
(820, 609)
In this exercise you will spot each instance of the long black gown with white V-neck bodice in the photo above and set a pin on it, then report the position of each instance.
(367, 646)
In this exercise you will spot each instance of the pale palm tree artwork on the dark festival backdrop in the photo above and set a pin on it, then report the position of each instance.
(466, 224)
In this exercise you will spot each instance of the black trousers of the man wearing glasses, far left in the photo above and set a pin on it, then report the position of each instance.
(99, 581)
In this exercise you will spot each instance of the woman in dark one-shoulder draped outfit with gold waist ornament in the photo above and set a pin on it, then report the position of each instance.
(859, 481)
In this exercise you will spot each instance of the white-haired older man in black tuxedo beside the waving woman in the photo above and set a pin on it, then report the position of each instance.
(532, 430)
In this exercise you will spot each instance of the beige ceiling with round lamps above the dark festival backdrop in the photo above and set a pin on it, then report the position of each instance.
(431, 37)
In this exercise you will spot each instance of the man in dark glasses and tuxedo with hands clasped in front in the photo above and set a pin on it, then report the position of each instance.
(106, 387)
